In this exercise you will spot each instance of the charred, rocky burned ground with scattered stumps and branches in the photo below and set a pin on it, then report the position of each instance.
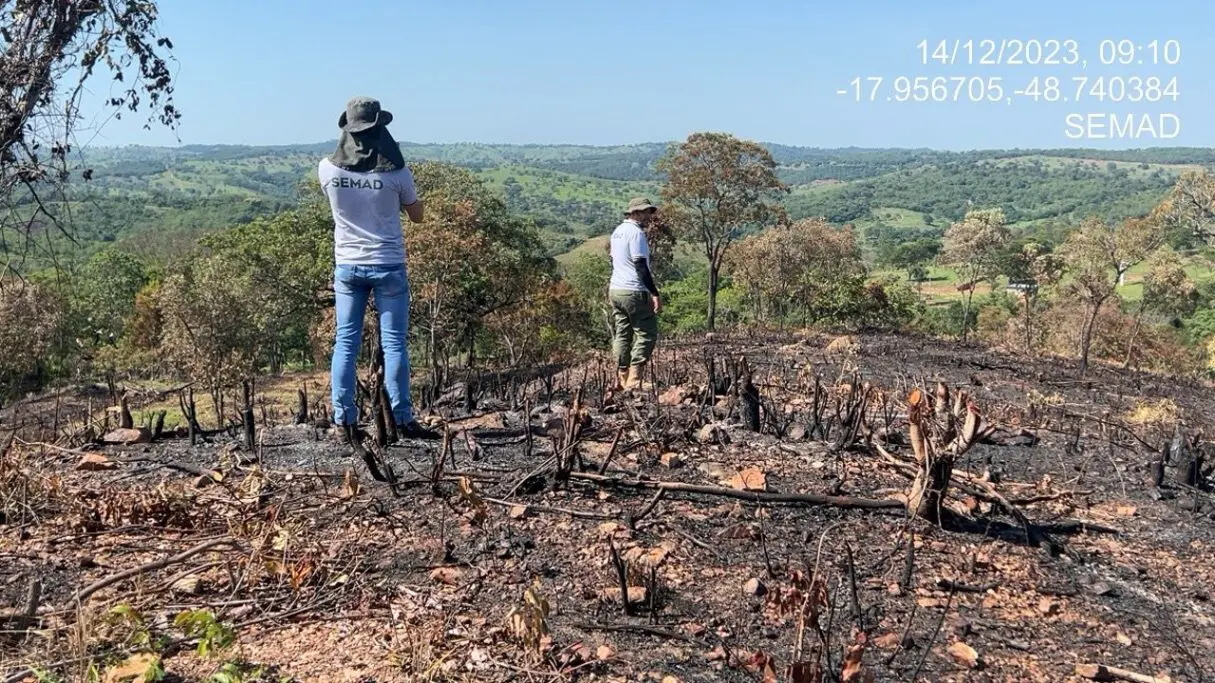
(494, 563)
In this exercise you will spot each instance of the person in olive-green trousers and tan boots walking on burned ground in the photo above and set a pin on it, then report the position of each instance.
(634, 295)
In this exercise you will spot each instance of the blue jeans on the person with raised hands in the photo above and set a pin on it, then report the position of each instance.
(353, 286)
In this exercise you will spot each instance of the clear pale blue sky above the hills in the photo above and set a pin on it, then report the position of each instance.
(272, 72)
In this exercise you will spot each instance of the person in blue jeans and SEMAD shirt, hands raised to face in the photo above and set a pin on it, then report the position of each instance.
(369, 185)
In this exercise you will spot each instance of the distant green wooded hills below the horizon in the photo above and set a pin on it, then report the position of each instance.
(161, 199)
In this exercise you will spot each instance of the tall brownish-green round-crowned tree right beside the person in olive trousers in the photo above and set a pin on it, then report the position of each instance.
(717, 189)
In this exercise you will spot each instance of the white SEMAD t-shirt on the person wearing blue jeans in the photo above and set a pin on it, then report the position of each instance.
(368, 213)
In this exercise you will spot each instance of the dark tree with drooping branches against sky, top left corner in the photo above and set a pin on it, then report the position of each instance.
(49, 52)
